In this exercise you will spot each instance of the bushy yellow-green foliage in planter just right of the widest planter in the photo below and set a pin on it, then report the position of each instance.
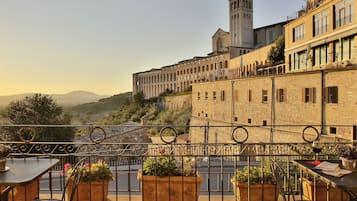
(254, 174)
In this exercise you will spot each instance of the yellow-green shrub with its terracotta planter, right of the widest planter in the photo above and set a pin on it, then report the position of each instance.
(261, 184)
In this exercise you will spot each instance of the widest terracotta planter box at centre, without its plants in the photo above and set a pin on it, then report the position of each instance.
(170, 188)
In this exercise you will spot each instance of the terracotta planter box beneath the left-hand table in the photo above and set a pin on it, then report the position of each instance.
(29, 191)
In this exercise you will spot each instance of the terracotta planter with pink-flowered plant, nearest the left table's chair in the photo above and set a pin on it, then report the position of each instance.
(93, 184)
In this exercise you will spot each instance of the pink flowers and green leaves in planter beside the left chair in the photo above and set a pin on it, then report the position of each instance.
(90, 172)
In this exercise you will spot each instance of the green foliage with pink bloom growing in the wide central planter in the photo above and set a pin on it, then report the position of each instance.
(166, 165)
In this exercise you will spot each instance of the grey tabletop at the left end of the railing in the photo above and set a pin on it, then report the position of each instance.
(25, 170)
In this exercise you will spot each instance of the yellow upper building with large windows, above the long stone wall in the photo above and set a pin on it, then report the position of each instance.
(323, 38)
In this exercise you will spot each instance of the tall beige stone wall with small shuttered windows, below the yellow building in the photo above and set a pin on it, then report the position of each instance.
(289, 114)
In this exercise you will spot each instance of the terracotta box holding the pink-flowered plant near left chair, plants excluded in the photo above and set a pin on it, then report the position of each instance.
(89, 191)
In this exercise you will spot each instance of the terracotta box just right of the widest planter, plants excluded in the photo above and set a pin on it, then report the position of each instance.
(270, 192)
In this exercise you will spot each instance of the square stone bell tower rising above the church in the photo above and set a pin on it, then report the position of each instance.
(241, 26)
